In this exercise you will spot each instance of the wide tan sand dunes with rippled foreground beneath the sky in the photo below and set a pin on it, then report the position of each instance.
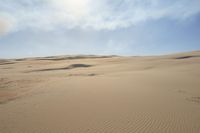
(90, 94)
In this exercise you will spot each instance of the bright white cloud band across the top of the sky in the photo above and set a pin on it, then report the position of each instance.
(95, 14)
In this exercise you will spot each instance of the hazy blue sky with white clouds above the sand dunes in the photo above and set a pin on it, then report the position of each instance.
(32, 28)
